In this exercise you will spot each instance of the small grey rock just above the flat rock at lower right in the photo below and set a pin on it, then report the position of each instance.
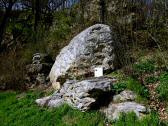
(125, 95)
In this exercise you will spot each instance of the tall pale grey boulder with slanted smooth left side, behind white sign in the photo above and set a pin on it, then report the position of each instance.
(92, 47)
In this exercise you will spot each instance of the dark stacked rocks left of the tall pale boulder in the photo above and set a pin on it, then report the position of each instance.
(38, 71)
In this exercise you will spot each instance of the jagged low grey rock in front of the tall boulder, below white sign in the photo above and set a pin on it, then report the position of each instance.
(78, 94)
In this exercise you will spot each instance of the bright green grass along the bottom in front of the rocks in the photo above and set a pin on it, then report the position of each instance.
(20, 110)
